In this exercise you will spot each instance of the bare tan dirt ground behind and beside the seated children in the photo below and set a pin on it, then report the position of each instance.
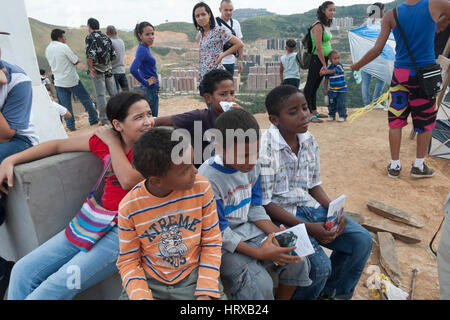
(353, 162)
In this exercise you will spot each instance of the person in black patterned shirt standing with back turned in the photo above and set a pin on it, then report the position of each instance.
(100, 53)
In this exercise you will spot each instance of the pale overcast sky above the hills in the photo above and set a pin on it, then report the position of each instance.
(124, 14)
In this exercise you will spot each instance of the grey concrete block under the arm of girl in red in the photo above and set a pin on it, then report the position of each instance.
(47, 194)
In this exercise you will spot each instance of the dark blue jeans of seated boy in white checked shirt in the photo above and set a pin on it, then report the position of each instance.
(338, 275)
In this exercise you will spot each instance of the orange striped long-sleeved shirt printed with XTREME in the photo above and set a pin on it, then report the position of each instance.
(168, 238)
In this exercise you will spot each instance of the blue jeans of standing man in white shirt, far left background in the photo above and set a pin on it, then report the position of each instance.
(65, 97)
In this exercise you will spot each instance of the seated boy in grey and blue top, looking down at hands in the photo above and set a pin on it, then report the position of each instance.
(235, 180)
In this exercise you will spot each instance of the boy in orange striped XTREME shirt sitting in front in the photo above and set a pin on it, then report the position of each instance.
(168, 227)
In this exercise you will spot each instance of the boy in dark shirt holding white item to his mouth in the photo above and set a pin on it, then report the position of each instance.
(216, 88)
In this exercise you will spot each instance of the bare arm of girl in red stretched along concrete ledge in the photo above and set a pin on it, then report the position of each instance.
(40, 151)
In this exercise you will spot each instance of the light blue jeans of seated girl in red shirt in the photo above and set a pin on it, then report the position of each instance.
(57, 270)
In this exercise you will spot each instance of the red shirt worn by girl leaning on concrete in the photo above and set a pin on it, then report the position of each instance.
(113, 192)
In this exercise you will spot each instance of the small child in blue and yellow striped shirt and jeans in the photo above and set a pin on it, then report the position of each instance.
(337, 92)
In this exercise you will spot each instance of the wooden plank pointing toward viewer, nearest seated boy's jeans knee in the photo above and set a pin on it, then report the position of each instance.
(389, 257)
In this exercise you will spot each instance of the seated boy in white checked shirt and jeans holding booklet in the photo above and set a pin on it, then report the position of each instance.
(292, 194)
